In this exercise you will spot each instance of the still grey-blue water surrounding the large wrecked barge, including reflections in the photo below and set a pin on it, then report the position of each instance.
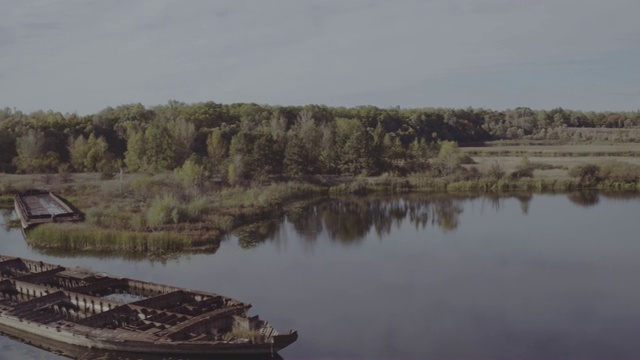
(542, 276)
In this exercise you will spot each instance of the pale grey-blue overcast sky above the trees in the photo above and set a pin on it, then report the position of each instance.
(82, 56)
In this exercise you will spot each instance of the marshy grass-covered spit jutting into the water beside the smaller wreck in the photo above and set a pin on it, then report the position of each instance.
(156, 214)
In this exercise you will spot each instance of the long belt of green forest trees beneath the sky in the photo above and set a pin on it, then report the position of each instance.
(242, 142)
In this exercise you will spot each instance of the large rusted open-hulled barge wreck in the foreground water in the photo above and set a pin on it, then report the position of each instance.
(86, 309)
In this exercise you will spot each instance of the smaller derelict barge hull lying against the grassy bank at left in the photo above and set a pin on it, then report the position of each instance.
(39, 207)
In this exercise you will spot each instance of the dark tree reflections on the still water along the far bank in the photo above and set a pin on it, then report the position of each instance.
(348, 220)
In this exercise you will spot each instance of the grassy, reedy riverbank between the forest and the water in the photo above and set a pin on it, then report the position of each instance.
(157, 214)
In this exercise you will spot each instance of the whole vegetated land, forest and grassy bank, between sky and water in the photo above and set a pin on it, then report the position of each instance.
(179, 176)
